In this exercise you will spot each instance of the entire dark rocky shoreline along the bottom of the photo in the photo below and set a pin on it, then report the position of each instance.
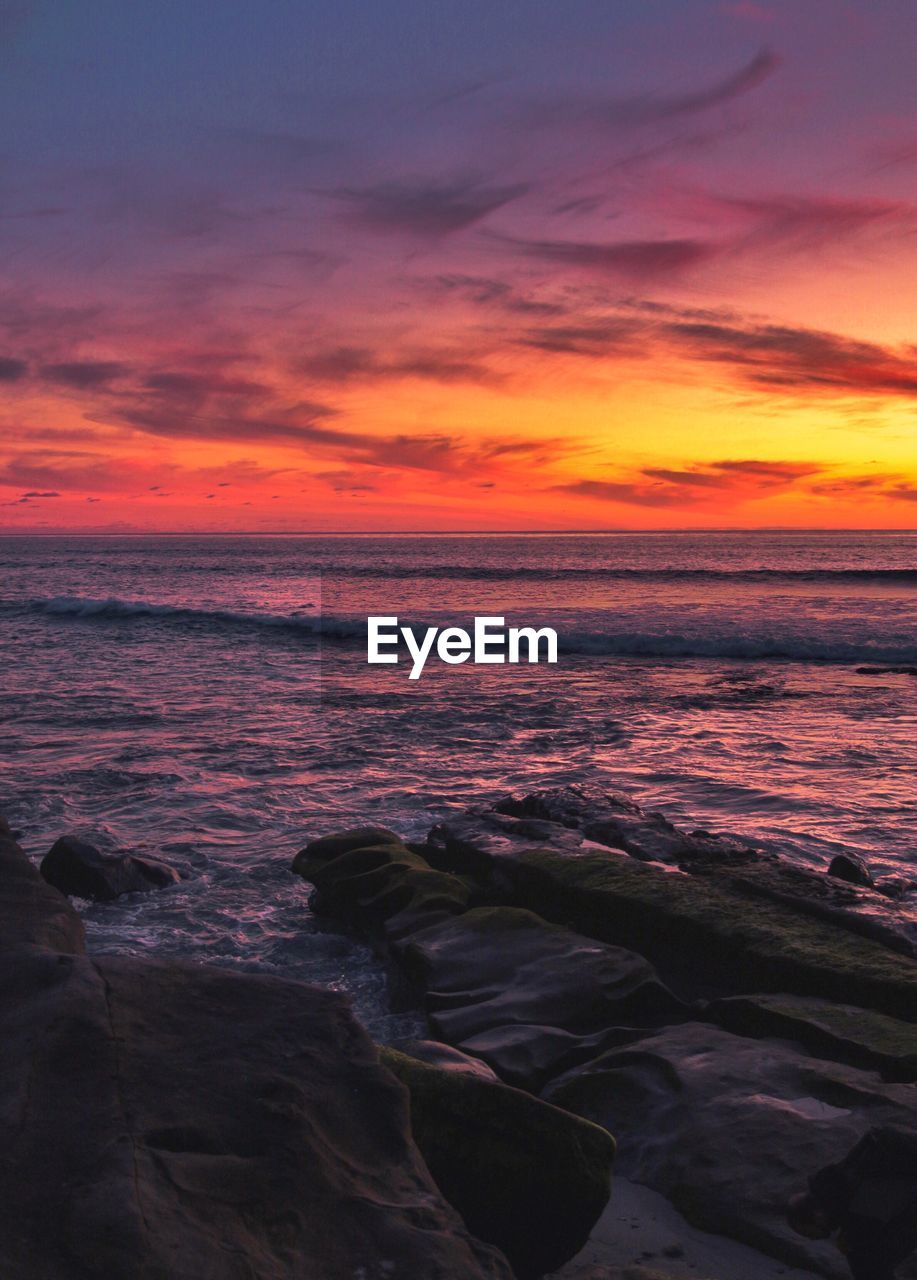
(586, 970)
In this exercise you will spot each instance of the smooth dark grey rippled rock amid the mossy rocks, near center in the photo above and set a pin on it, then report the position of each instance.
(530, 998)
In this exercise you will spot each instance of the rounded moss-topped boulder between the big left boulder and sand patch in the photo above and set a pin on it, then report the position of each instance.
(526, 1177)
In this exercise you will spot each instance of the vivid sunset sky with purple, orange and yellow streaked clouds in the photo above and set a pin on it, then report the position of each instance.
(425, 266)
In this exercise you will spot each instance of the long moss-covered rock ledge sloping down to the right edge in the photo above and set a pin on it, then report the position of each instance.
(722, 935)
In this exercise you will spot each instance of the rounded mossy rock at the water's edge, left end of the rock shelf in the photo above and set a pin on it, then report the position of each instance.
(381, 888)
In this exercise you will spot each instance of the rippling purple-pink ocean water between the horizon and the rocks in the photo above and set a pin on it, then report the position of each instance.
(209, 700)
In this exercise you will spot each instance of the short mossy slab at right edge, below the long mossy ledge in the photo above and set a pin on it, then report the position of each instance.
(840, 1032)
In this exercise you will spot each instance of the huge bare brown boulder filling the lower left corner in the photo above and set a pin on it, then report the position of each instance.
(170, 1121)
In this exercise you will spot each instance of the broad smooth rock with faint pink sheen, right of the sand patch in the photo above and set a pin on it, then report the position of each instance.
(731, 1128)
